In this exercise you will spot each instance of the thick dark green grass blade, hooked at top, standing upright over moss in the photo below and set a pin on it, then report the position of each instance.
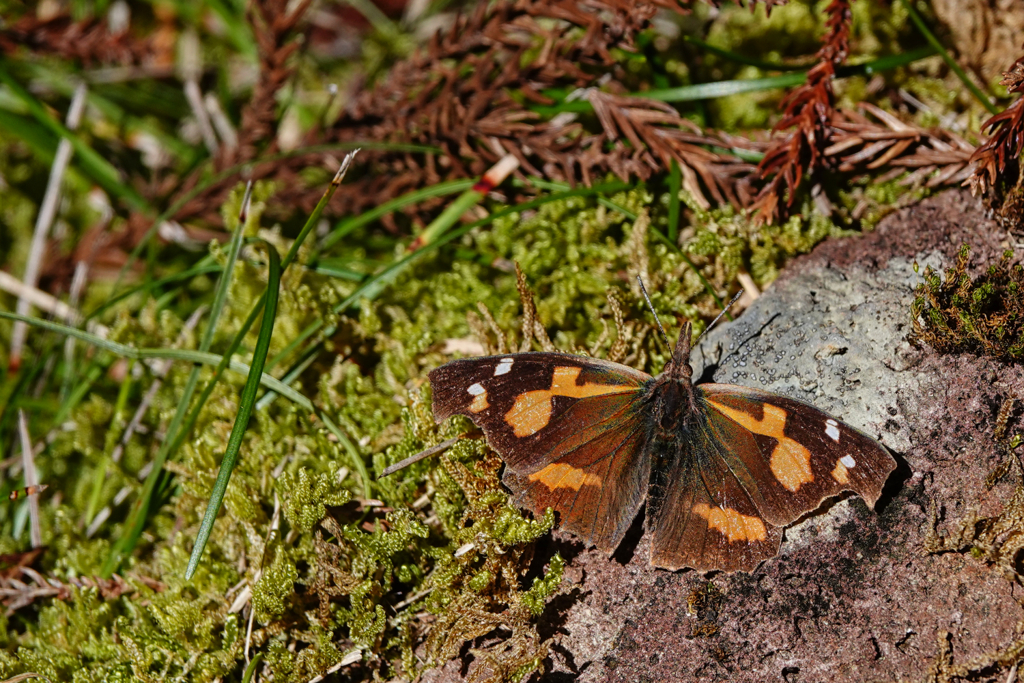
(246, 404)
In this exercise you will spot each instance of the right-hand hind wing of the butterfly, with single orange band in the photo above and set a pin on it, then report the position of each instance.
(700, 515)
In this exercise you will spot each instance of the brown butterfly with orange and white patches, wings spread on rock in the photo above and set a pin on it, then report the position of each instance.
(722, 468)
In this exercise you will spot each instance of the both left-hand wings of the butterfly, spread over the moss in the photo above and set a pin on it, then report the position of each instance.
(571, 431)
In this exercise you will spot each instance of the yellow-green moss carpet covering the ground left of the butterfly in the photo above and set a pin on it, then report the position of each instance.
(332, 572)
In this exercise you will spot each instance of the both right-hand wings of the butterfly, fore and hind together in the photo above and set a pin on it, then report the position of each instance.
(751, 462)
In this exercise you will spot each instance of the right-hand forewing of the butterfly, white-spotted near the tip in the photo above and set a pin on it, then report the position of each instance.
(789, 456)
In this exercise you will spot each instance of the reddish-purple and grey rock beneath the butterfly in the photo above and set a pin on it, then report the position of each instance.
(852, 596)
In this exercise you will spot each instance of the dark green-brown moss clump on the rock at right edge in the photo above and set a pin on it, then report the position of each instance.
(960, 314)
